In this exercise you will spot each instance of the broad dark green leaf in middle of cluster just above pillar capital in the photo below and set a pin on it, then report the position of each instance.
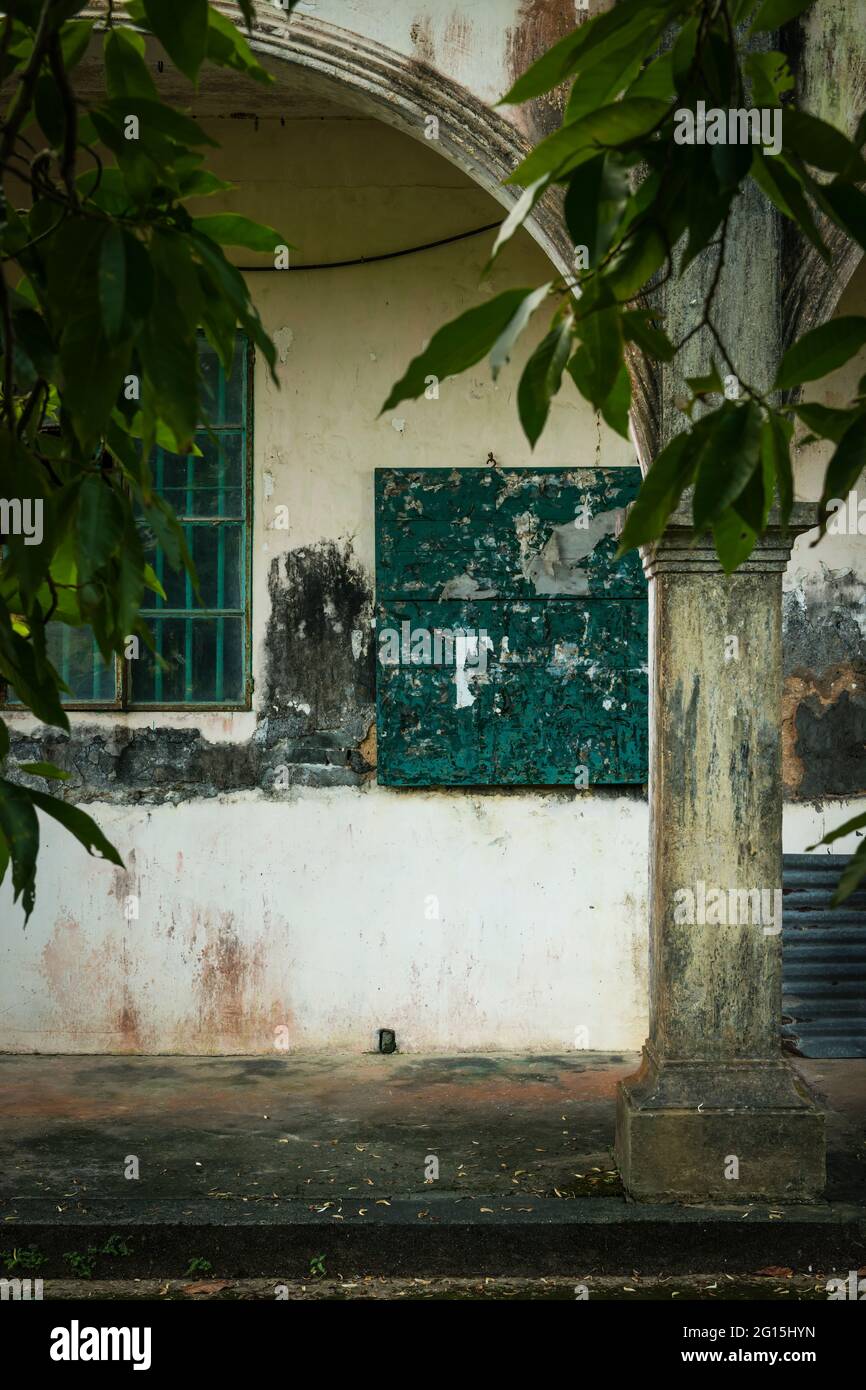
(729, 458)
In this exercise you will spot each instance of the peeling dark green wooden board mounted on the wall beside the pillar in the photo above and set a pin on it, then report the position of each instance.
(528, 558)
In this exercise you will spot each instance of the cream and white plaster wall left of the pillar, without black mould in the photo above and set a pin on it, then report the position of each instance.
(315, 913)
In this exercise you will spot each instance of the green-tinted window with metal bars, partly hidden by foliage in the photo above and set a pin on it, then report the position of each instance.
(206, 647)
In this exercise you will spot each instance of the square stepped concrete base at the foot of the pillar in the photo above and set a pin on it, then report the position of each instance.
(682, 1125)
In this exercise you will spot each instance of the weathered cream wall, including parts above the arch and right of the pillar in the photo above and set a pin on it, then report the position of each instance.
(315, 910)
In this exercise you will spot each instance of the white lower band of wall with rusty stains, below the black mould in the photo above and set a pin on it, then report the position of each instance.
(319, 917)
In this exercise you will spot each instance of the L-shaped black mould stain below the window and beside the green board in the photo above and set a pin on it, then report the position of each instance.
(313, 723)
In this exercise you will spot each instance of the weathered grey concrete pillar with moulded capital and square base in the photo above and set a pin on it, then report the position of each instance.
(715, 1111)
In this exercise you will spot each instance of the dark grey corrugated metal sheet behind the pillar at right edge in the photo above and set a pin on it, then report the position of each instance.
(824, 961)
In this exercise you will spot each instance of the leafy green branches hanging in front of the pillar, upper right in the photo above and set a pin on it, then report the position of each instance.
(642, 204)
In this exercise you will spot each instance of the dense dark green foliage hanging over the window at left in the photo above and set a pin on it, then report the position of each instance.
(108, 280)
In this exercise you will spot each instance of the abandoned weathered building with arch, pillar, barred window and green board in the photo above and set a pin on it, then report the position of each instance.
(476, 854)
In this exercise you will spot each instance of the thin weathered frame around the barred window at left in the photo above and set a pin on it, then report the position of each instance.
(123, 703)
